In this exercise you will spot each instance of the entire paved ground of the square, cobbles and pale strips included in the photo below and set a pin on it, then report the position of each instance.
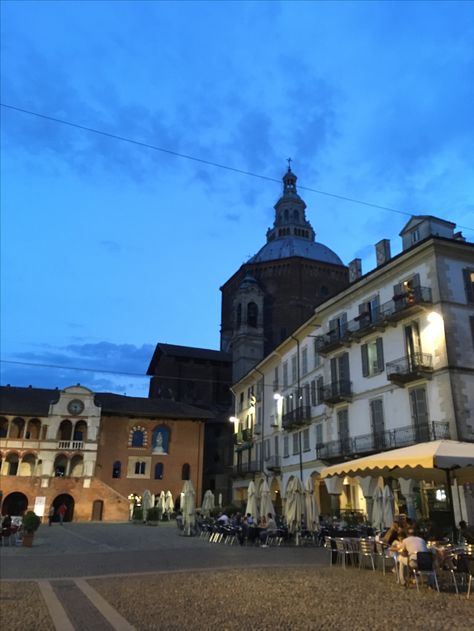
(160, 580)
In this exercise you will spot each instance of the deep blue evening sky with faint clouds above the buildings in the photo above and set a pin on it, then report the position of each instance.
(108, 247)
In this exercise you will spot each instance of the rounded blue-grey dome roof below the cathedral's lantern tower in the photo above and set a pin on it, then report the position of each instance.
(294, 246)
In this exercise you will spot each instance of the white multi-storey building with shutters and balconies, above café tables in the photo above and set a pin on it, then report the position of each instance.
(386, 363)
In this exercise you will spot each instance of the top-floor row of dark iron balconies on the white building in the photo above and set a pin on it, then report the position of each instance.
(402, 305)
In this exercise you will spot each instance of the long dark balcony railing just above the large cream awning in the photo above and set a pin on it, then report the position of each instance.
(382, 441)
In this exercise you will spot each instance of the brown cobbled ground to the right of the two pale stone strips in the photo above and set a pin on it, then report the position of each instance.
(270, 599)
